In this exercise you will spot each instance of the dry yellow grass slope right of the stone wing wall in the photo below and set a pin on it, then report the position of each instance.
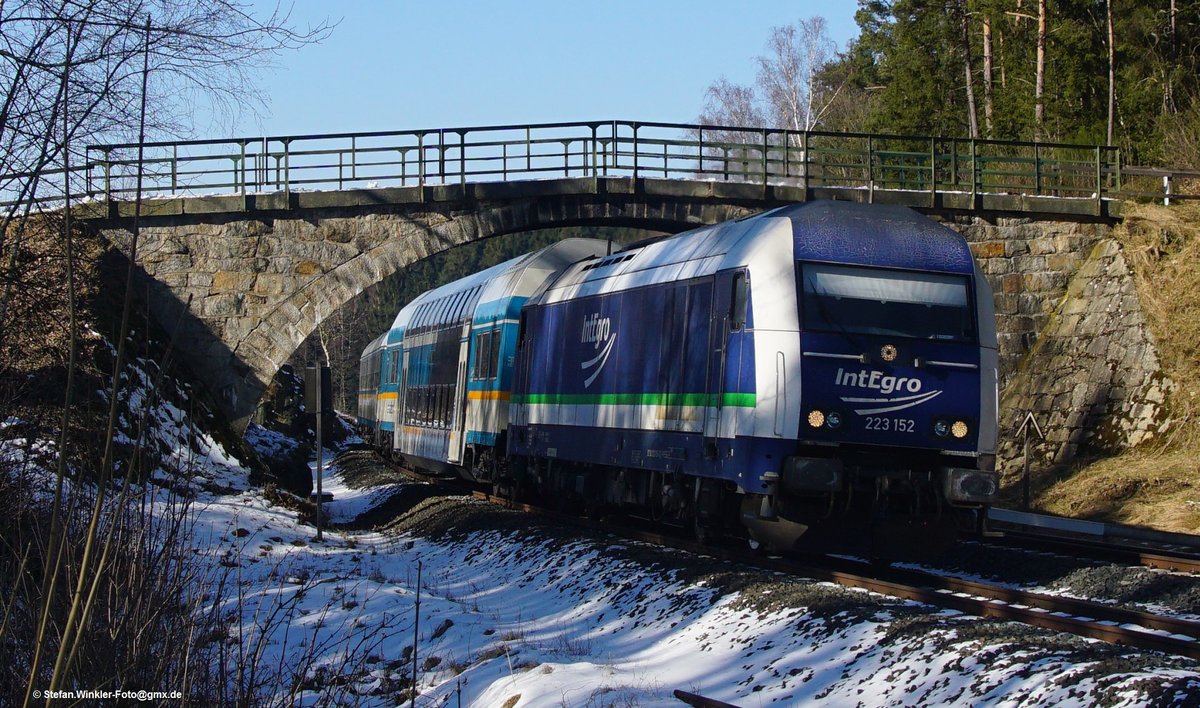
(1157, 484)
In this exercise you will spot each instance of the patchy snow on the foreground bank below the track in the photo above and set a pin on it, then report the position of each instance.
(512, 616)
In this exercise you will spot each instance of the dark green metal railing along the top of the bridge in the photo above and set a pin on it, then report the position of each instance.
(613, 148)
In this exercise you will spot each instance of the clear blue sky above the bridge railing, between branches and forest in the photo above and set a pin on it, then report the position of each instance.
(404, 65)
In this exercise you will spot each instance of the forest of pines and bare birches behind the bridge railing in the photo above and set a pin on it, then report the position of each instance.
(1069, 71)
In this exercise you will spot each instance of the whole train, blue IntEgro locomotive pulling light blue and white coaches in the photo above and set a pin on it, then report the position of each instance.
(820, 376)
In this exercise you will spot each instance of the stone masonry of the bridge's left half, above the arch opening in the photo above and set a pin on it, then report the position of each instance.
(241, 290)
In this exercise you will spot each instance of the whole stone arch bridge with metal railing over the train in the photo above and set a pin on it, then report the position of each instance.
(241, 280)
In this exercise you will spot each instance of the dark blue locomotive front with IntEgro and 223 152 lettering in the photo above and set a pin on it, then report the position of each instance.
(898, 380)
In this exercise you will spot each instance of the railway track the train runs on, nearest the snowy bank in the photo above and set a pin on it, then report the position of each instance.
(1083, 619)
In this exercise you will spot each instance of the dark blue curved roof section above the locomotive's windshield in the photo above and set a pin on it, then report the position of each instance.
(875, 235)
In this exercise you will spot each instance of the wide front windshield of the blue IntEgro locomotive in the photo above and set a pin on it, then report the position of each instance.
(890, 303)
